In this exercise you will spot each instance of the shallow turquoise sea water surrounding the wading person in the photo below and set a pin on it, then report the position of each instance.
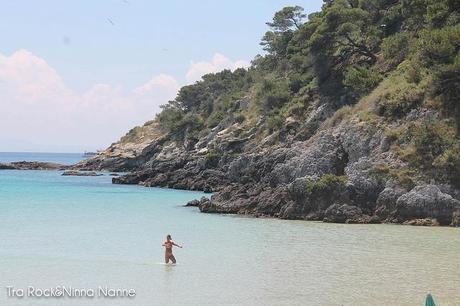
(85, 232)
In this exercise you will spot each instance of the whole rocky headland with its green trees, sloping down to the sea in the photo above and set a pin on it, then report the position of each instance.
(360, 133)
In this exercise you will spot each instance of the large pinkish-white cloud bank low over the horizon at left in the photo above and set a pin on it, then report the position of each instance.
(39, 110)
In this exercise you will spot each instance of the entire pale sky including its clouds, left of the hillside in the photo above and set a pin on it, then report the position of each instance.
(77, 75)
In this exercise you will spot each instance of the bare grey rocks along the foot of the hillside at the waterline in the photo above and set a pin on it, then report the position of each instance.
(334, 176)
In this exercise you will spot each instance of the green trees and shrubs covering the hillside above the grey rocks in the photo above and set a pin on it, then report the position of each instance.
(377, 60)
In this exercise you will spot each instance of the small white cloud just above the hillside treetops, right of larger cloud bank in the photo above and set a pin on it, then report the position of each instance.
(218, 63)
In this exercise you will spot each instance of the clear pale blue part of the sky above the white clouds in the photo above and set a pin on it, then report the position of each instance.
(147, 39)
